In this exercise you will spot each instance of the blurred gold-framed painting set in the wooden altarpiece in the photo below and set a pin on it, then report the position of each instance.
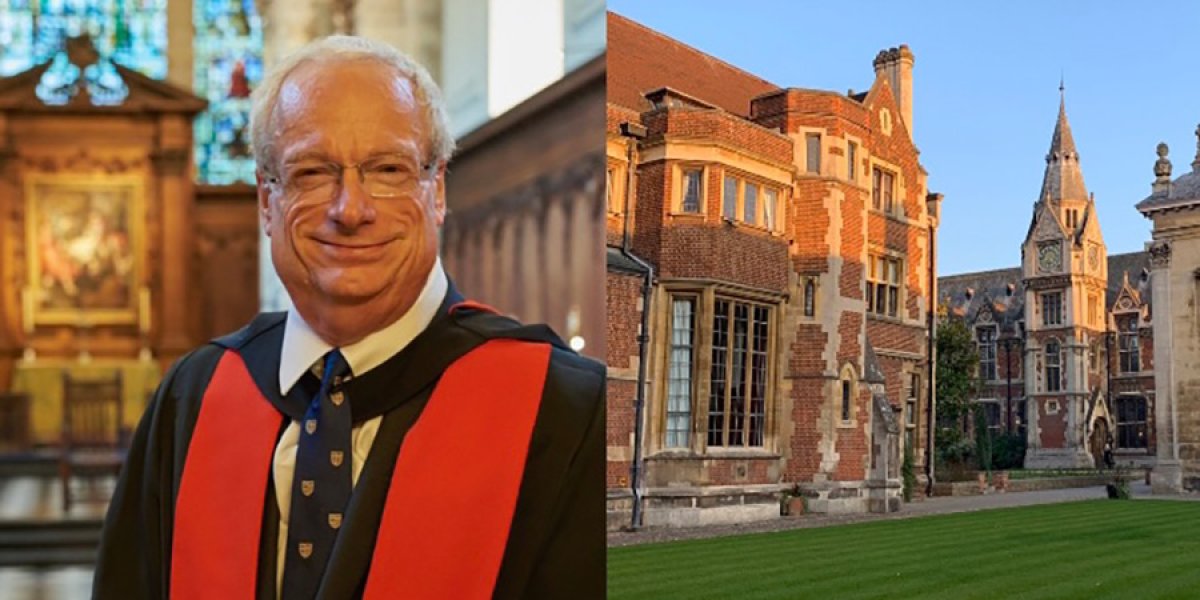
(83, 242)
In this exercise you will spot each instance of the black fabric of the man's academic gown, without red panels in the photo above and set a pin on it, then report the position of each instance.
(556, 547)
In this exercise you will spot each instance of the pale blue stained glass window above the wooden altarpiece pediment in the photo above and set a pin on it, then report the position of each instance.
(133, 33)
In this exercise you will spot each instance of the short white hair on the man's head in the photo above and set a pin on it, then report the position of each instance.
(341, 49)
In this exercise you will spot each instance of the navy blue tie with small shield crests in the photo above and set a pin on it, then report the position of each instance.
(321, 485)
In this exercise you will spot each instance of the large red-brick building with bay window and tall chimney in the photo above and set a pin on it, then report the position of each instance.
(788, 235)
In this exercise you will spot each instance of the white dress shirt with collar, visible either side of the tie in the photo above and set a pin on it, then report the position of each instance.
(303, 349)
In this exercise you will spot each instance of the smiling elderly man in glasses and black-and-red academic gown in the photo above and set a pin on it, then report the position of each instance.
(383, 439)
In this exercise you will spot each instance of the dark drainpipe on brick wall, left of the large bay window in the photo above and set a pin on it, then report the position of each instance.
(634, 134)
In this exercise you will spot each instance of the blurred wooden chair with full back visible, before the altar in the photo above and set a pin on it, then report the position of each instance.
(93, 441)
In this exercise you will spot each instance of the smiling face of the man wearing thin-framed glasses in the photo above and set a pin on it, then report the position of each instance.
(339, 243)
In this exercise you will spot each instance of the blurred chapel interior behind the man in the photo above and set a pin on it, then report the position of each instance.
(130, 233)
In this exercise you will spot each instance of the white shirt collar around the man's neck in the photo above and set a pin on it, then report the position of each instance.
(303, 347)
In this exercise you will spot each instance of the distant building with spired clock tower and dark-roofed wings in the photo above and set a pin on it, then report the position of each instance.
(1073, 319)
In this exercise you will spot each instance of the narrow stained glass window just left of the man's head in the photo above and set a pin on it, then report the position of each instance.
(229, 51)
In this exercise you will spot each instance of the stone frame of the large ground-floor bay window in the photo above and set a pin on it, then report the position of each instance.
(707, 295)
